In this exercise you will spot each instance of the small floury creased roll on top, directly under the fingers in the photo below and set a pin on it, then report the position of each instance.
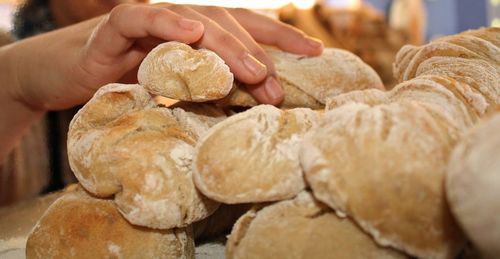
(177, 71)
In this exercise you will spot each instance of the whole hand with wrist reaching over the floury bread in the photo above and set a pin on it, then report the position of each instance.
(77, 60)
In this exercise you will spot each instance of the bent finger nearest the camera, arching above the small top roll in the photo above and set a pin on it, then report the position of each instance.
(118, 31)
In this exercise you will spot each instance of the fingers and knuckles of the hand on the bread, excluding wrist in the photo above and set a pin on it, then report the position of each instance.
(232, 34)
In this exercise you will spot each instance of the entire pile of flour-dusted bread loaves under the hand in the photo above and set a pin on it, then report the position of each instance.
(343, 169)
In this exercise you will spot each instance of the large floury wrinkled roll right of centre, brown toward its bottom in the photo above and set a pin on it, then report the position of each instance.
(384, 167)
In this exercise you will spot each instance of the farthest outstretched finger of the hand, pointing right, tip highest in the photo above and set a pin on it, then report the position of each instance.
(272, 32)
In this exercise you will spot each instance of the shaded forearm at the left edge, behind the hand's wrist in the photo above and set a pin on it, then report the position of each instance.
(15, 115)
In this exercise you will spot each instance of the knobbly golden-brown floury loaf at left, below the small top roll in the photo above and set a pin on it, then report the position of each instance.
(120, 144)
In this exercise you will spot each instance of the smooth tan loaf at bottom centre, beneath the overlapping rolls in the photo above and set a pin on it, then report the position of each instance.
(301, 228)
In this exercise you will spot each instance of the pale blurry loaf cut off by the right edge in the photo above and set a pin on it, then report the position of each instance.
(473, 186)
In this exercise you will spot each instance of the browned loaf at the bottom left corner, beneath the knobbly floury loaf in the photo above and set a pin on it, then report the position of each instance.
(80, 226)
